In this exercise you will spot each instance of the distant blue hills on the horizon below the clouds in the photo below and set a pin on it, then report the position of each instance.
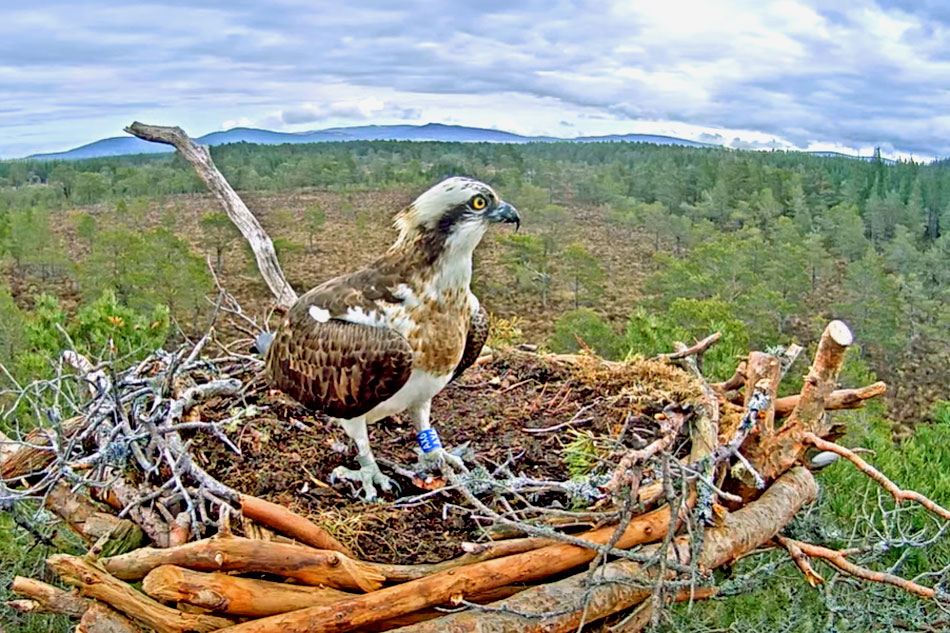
(122, 145)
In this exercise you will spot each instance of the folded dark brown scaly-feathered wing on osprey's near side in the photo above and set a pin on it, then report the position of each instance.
(342, 369)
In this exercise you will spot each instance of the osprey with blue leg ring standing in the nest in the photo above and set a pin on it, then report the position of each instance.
(387, 338)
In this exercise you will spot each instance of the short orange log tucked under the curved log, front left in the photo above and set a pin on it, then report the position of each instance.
(233, 594)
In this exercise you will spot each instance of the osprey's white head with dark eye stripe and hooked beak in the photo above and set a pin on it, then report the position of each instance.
(451, 217)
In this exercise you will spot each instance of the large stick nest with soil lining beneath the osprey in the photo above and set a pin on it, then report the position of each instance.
(186, 473)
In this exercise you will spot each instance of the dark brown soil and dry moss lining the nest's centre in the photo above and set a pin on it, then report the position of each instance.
(289, 453)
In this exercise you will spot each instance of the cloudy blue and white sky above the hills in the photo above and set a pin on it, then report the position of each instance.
(811, 75)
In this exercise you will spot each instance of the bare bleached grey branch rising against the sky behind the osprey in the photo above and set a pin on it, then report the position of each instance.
(200, 158)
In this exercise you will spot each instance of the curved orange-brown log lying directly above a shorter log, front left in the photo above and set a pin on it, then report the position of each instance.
(308, 565)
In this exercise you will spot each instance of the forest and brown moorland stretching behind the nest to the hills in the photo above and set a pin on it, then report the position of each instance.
(625, 248)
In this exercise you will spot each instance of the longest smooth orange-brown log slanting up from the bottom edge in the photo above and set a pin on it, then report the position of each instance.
(391, 602)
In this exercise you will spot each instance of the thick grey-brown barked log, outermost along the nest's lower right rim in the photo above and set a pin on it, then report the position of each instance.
(740, 533)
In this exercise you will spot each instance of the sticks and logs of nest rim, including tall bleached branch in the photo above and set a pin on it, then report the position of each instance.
(675, 517)
